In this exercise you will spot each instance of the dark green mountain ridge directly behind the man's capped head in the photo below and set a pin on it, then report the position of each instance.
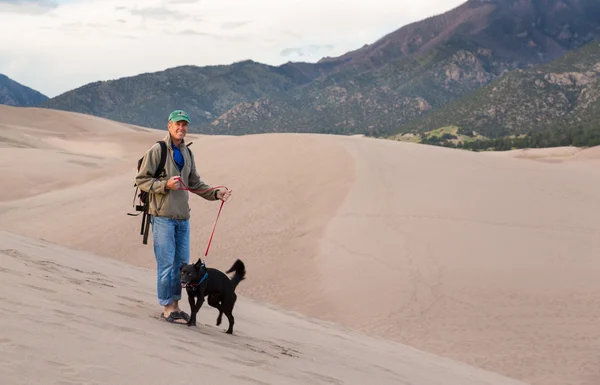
(204, 92)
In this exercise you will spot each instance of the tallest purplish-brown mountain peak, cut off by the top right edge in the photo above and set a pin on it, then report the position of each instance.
(522, 31)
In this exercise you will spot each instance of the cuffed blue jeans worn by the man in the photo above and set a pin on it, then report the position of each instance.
(171, 238)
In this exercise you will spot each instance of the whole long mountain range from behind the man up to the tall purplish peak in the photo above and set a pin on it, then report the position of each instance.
(373, 90)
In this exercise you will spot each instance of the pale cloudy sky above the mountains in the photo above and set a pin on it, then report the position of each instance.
(54, 46)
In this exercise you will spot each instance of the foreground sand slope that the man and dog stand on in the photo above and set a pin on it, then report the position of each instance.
(91, 320)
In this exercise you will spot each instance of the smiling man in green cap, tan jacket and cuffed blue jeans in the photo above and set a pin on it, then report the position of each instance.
(170, 211)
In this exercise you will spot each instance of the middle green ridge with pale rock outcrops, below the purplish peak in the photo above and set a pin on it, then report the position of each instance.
(370, 102)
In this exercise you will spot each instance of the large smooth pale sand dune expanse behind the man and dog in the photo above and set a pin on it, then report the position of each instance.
(488, 259)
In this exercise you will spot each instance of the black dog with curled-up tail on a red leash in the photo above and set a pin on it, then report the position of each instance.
(200, 281)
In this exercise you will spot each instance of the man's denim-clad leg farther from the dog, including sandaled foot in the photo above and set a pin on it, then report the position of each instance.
(163, 236)
